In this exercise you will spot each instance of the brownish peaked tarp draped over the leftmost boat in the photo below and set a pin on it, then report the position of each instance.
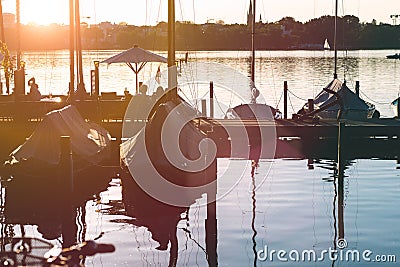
(88, 139)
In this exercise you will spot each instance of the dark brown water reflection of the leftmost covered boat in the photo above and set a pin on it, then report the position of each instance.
(43, 201)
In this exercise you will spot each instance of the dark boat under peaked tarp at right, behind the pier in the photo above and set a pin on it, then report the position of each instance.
(336, 101)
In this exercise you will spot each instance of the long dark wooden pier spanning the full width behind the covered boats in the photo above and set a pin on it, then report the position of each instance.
(294, 138)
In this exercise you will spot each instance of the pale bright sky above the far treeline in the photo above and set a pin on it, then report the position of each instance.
(150, 12)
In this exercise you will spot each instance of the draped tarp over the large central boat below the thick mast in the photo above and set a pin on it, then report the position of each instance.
(152, 161)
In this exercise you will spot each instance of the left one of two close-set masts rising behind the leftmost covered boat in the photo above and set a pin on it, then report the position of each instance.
(71, 47)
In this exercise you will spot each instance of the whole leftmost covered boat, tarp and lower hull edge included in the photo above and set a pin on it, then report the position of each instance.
(40, 154)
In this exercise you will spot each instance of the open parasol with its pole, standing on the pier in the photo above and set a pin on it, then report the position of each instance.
(136, 58)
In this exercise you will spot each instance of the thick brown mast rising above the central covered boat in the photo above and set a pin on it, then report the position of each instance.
(172, 69)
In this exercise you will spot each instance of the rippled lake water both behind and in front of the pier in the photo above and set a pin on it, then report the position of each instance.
(290, 209)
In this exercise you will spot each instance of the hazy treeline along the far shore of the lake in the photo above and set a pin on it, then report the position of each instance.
(284, 34)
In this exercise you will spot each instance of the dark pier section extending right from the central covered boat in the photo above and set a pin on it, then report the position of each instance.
(306, 138)
